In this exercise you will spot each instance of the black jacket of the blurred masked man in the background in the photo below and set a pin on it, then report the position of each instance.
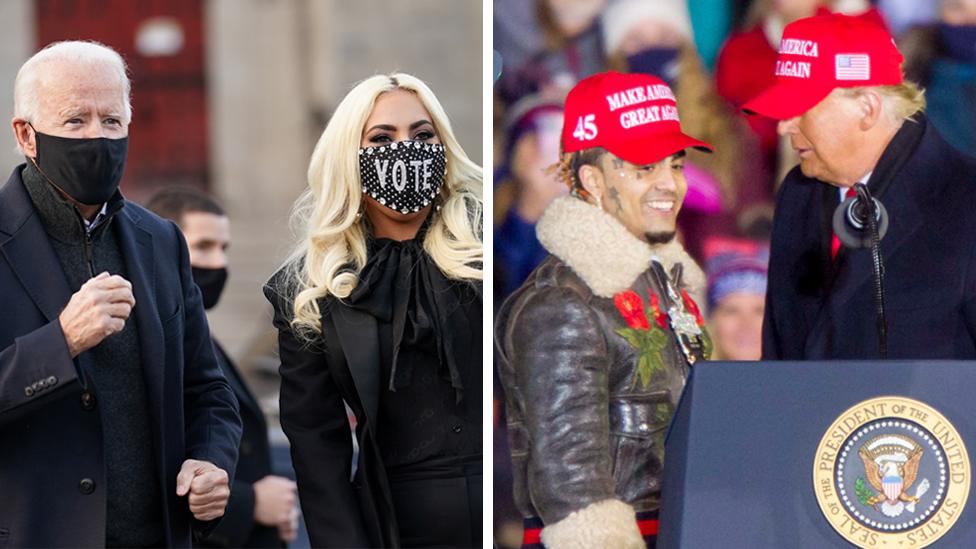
(238, 528)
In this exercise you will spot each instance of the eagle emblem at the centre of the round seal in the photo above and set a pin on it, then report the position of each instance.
(891, 466)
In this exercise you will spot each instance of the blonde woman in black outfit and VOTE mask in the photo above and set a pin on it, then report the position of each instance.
(379, 307)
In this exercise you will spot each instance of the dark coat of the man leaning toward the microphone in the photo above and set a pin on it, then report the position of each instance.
(819, 309)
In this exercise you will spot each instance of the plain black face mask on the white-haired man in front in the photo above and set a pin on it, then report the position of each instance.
(88, 170)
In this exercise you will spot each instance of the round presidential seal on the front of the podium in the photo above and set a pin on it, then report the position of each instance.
(891, 472)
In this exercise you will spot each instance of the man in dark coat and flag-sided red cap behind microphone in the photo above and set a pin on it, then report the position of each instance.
(843, 104)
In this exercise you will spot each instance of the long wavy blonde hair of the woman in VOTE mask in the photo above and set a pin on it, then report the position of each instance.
(331, 248)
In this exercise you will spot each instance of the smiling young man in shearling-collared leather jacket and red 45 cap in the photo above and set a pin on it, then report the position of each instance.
(595, 347)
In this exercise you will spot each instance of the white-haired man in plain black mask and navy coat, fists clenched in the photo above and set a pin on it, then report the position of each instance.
(118, 428)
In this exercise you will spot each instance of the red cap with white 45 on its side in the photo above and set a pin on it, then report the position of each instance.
(634, 116)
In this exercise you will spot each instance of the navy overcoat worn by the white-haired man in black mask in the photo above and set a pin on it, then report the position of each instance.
(52, 475)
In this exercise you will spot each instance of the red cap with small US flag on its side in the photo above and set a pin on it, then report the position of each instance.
(820, 53)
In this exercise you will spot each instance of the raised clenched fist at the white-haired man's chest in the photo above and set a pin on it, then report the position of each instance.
(96, 311)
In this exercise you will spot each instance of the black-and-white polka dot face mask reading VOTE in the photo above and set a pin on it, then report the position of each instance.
(405, 176)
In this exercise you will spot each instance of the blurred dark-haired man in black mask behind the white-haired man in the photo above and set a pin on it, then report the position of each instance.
(262, 509)
